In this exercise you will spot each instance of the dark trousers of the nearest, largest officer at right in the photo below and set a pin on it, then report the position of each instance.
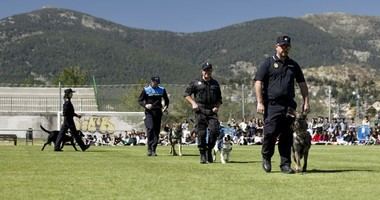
(277, 125)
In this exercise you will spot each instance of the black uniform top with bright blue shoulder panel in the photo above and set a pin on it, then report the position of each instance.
(153, 95)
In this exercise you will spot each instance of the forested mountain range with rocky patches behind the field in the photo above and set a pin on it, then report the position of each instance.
(38, 45)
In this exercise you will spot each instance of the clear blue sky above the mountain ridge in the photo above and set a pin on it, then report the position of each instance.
(192, 15)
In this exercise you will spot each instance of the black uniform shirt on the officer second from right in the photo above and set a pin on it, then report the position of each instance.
(206, 93)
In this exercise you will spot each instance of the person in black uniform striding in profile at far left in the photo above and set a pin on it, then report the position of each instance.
(68, 123)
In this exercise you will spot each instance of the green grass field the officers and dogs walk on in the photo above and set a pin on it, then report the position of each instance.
(335, 172)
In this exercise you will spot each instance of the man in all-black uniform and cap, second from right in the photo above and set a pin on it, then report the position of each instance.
(206, 102)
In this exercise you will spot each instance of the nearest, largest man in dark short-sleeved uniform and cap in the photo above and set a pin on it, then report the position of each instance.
(274, 86)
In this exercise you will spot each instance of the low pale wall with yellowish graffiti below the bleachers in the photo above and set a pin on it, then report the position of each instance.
(94, 122)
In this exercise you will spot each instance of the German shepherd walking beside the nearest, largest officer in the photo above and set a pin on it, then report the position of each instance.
(301, 142)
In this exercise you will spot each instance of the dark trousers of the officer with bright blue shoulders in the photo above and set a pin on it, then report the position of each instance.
(153, 126)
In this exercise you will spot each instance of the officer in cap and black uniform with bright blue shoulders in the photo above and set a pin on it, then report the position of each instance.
(150, 98)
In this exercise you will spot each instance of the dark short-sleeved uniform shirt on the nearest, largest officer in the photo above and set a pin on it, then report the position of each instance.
(278, 77)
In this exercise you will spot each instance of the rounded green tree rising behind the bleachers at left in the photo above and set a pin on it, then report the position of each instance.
(72, 76)
